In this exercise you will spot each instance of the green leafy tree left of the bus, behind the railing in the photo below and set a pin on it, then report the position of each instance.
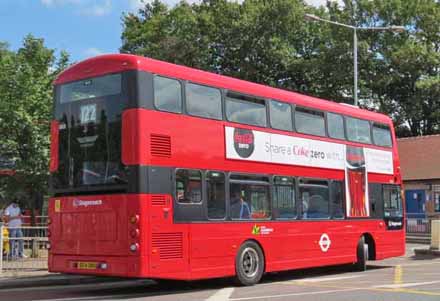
(26, 77)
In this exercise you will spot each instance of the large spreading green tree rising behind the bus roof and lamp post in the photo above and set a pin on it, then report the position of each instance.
(270, 42)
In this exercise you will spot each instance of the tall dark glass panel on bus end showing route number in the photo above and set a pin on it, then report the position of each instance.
(89, 123)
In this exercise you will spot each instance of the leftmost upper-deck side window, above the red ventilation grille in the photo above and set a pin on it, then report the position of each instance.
(167, 94)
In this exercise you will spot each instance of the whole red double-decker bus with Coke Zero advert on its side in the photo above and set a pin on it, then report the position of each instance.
(167, 172)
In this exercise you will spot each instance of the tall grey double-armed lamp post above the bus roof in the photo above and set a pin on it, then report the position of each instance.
(393, 28)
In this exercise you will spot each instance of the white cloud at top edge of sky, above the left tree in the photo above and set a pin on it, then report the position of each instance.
(83, 7)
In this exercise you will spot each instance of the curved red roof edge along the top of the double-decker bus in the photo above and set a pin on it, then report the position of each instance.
(111, 63)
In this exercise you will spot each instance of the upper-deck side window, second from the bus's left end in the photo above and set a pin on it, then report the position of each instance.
(203, 101)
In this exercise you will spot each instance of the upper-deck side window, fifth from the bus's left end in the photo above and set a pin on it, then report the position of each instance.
(309, 122)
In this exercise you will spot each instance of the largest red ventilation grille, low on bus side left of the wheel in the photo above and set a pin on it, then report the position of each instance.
(170, 245)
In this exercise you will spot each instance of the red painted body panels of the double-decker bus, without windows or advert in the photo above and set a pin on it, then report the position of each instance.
(101, 228)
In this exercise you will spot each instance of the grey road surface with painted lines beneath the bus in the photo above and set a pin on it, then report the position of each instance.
(405, 278)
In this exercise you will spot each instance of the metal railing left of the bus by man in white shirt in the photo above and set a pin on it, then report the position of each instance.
(23, 248)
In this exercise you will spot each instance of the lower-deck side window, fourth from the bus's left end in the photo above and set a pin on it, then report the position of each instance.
(283, 198)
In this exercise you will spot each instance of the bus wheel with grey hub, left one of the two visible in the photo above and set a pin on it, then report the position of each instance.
(249, 264)
